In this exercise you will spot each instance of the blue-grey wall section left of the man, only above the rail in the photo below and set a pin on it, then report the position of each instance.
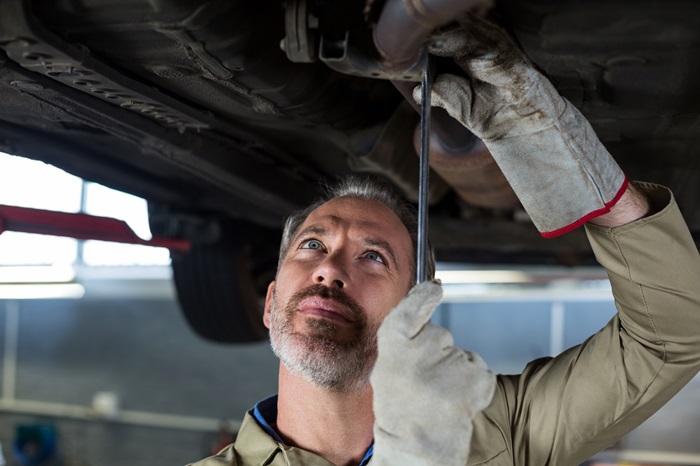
(143, 351)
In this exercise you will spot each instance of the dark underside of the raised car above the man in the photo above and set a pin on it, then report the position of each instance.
(227, 115)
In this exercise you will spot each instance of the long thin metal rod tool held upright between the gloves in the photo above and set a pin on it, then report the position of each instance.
(424, 172)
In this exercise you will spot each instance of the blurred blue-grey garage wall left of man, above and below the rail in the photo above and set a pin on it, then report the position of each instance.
(143, 351)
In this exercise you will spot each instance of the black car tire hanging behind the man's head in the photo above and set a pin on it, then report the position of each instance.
(221, 285)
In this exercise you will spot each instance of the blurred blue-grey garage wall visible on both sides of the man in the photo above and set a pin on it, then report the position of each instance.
(143, 351)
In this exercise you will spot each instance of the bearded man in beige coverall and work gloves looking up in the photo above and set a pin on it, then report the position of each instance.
(348, 260)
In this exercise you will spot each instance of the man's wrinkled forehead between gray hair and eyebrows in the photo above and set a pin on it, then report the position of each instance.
(362, 217)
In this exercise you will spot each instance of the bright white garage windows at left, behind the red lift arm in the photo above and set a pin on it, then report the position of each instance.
(29, 183)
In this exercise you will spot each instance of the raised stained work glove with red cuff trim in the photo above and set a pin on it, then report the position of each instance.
(546, 149)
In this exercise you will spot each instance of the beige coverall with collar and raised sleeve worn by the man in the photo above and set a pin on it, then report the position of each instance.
(561, 411)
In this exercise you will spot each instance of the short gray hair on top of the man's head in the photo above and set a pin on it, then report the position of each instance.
(369, 188)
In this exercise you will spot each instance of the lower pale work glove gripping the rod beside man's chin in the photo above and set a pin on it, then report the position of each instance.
(426, 391)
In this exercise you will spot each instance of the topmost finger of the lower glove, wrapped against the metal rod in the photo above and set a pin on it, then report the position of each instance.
(414, 311)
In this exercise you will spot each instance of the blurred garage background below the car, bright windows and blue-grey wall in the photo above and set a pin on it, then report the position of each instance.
(100, 368)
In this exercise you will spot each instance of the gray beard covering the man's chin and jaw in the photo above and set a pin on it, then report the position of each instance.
(317, 357)
